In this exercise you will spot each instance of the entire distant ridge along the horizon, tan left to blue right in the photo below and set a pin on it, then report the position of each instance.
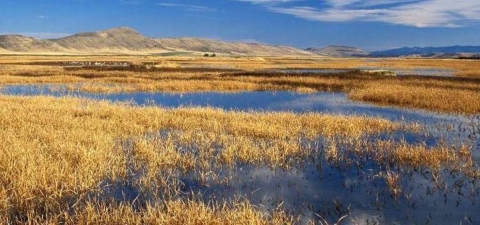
(125, 40)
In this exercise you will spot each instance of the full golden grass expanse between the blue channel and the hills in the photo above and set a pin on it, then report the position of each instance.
(452, 95)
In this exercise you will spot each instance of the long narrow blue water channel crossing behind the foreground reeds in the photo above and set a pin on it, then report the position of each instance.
(441, 125)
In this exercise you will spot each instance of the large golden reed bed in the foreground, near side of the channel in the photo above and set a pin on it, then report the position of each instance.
(60, 155)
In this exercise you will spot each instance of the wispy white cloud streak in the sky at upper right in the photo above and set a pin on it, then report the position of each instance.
(417, 13)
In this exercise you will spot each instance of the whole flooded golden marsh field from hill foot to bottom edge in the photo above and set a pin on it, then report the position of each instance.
(69, 158)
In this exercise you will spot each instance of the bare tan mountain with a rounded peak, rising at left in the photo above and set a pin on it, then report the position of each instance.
(125, 40)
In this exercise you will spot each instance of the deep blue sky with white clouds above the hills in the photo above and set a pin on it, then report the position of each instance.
(368, 24)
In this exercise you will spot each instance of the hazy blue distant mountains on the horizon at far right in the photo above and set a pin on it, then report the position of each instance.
(447, 52)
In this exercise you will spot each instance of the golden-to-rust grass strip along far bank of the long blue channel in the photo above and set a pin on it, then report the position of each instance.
(448, 95)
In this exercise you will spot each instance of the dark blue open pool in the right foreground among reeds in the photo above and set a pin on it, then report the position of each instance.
(360, 193)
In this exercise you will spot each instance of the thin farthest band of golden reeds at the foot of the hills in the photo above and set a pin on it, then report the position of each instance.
(463, 68)
